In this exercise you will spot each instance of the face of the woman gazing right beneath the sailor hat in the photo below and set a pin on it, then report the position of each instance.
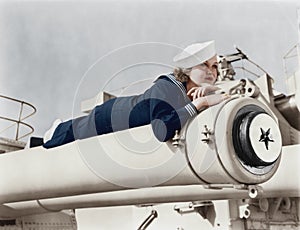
(206, 72)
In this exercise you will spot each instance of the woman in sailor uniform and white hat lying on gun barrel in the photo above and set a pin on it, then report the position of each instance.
(167, 105)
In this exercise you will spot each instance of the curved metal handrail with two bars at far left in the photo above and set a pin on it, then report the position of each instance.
(19, 121)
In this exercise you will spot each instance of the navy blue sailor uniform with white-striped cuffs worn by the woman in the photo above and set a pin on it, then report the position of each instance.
(165, 106)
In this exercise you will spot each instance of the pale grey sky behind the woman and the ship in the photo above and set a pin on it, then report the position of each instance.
(54, 54)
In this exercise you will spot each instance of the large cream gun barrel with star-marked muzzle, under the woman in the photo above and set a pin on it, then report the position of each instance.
(235, 142)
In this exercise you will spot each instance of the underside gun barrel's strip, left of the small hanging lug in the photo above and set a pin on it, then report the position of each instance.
(152, 196)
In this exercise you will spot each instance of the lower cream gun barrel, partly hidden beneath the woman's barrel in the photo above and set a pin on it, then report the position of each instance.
(164, 194)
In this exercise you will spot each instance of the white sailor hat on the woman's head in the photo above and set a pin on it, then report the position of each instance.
(195, 54)
